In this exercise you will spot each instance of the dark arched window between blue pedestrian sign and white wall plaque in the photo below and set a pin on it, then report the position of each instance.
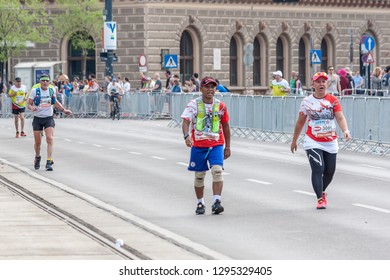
(186, 56)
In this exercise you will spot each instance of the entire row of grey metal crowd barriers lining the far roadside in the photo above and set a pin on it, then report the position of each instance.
(265, 118)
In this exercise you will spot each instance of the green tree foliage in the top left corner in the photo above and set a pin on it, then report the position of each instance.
(21, 22)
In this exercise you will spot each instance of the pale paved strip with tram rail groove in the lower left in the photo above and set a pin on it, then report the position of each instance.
(43, 219)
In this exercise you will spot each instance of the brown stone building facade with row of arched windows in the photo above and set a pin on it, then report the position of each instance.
(209, 37)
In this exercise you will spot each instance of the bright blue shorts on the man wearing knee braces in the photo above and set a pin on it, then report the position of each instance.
(201, 156)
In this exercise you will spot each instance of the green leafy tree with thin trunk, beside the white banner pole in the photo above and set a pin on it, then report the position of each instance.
(80, 21)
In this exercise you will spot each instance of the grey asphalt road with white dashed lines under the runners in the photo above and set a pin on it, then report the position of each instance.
(140, 166)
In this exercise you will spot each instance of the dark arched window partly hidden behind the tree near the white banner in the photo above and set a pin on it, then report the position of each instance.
(76, 61)
